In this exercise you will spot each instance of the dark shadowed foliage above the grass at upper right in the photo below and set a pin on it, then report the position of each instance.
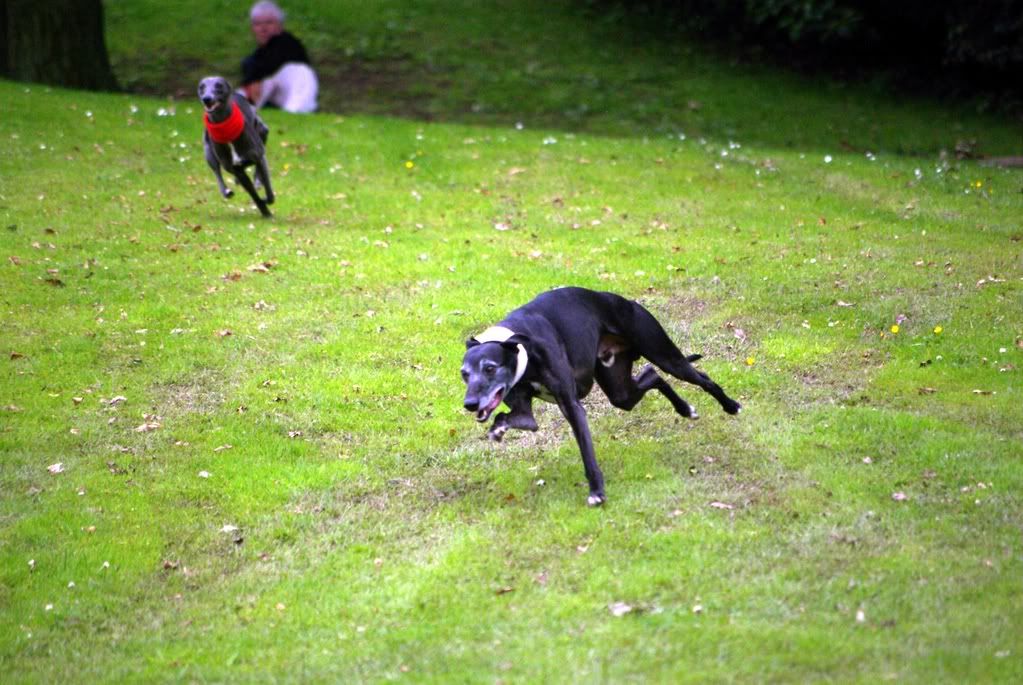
(949, 48)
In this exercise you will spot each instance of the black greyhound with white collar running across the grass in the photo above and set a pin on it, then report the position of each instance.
(556, 346)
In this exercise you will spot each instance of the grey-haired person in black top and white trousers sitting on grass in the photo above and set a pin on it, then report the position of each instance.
(279, 73)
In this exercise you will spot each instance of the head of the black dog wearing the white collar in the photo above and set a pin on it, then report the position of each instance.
(490, 371)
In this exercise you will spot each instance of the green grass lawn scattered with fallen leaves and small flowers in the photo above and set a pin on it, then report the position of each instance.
(234, 449)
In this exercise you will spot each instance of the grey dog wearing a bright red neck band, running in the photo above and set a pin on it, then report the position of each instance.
(234, 139)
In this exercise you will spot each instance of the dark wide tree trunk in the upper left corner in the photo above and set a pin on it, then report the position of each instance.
(59, 42)
